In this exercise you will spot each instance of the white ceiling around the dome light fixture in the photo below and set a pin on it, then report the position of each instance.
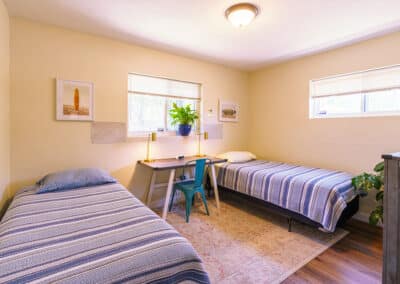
(284, 29)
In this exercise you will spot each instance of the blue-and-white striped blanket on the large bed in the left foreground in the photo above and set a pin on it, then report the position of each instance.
(96, 234)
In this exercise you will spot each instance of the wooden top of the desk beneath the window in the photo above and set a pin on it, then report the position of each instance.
(172, 163)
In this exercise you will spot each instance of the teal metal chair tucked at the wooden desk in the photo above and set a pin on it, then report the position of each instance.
(189, 188)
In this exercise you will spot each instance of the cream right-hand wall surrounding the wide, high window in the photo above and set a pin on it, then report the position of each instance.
(279, 104)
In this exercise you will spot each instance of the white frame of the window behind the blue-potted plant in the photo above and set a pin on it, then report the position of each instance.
(133, 134)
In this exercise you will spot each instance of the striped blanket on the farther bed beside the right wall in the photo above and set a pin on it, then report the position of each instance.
(321, 195)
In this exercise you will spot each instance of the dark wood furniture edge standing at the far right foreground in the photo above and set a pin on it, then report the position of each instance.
(391, 230)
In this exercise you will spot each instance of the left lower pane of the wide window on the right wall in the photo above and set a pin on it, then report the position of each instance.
(337, 105)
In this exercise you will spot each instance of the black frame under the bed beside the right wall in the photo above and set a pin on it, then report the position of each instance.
(348, 212)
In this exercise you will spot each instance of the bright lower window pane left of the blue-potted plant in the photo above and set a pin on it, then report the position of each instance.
(145, 113)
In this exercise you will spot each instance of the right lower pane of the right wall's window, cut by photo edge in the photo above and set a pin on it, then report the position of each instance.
(383, 101)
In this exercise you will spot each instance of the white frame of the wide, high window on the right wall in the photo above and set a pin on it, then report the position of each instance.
(363, 107)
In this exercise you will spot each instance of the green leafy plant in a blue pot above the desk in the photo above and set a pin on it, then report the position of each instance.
(184, 117)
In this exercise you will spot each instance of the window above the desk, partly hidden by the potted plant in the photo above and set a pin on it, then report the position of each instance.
(151, 98)
